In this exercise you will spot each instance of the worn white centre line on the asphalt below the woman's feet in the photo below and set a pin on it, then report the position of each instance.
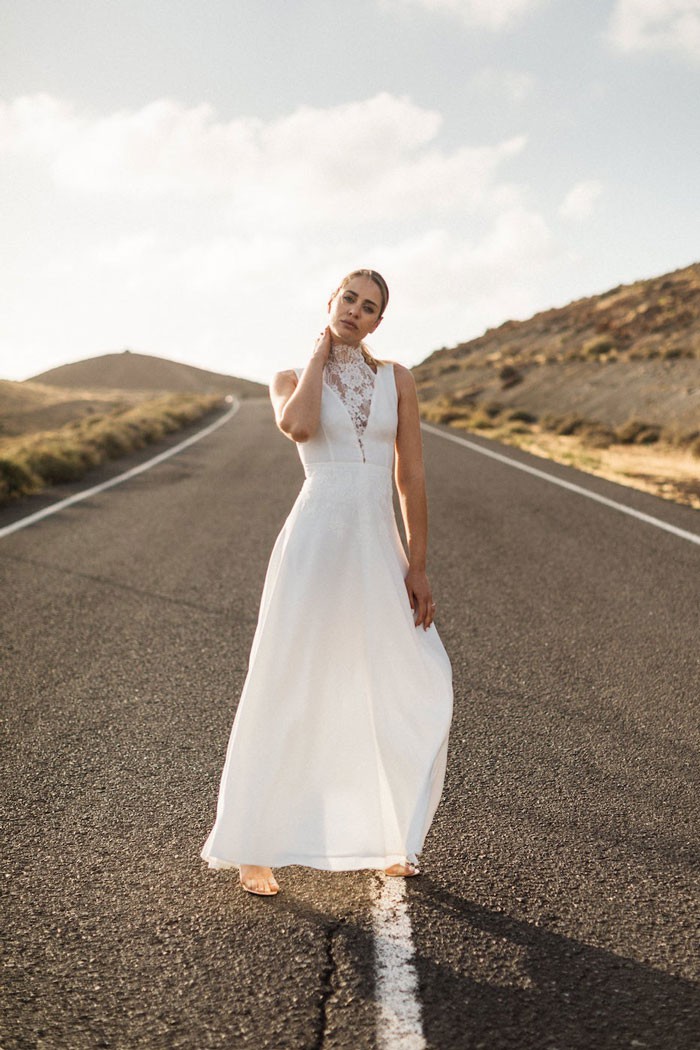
(400, 1025)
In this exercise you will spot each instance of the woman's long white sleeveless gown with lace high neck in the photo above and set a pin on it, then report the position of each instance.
(338, 749)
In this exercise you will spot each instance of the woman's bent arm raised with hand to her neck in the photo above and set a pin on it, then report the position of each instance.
(298, 403)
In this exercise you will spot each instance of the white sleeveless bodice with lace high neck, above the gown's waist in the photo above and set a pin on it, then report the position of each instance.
(359, 413)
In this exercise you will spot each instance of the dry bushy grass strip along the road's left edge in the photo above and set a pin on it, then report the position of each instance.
(32, 461)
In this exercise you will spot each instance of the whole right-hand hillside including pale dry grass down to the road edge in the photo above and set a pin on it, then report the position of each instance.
(588, 384)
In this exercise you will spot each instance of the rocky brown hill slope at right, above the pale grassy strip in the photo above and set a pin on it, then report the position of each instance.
(630, 352)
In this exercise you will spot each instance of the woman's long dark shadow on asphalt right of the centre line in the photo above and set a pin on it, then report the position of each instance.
(546, 991)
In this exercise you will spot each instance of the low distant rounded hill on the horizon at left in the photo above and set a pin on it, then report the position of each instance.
(129, 371)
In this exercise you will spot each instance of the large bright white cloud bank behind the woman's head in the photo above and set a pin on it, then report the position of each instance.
(219, 242)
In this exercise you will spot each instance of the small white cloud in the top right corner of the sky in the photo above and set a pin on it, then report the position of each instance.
(656, 26)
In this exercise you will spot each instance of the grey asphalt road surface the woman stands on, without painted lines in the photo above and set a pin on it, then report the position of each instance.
(558, 906)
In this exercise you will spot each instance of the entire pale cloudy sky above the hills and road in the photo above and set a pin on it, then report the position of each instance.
(193, 179)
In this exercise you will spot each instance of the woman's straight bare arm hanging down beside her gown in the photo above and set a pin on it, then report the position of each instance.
(411, 485)
